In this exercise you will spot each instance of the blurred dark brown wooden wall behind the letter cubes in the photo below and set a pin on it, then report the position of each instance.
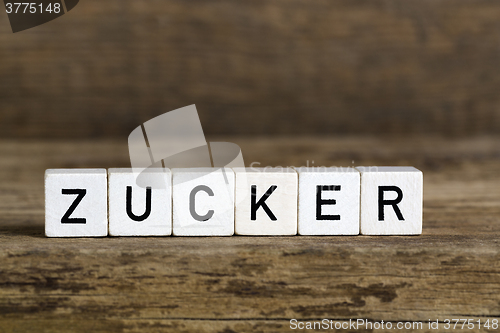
(256, 67)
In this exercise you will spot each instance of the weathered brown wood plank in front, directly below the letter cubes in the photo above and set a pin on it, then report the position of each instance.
(396, 278)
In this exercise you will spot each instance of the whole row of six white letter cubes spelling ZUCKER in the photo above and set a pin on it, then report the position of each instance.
(242, 201)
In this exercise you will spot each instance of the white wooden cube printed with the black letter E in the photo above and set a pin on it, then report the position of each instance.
(328, 201)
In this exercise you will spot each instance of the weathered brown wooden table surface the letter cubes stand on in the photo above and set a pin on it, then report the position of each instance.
(256, 284)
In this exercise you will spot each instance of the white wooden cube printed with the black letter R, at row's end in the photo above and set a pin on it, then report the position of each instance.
(391, 200)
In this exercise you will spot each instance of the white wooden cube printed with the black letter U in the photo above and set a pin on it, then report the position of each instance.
(144, 210)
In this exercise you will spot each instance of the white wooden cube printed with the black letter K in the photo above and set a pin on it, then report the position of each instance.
(272, 210)
